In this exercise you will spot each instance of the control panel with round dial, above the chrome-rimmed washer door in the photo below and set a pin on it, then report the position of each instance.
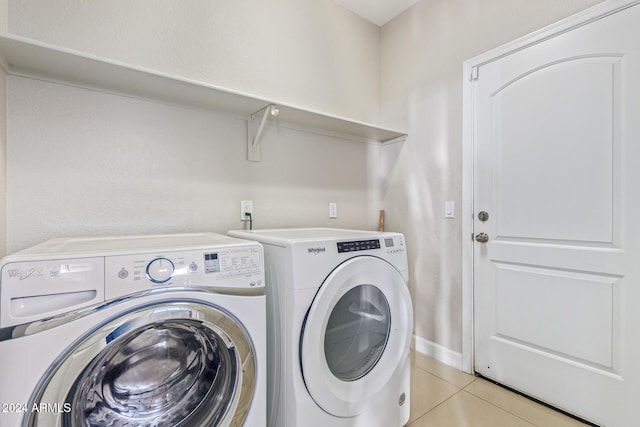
(233, 266)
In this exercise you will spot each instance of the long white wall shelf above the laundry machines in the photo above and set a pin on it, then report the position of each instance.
(29, 58)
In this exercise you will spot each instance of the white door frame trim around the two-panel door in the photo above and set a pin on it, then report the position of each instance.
(471, 72)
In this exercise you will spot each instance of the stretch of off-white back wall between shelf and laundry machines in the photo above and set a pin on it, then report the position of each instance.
(83, 162)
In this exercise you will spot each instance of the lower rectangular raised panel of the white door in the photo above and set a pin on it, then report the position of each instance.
(530, 290)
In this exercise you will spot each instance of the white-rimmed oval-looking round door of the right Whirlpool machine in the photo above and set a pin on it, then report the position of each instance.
(356, 332)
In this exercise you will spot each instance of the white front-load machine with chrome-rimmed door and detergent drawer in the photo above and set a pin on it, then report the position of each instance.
(159, 330)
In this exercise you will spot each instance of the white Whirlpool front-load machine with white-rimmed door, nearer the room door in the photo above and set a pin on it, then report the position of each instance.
(339, 327)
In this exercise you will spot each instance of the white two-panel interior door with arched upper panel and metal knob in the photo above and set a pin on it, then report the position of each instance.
(557, 170)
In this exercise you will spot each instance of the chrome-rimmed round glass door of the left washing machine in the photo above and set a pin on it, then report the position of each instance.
(172, 363)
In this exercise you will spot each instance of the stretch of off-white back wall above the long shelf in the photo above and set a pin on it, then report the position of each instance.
(310, 53)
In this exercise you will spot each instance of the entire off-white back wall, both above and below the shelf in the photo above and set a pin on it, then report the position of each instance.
(82, 162)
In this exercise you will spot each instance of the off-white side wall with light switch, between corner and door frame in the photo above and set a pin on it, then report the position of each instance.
(422, 52)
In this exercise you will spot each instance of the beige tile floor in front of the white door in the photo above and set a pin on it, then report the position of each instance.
(442, 396)
